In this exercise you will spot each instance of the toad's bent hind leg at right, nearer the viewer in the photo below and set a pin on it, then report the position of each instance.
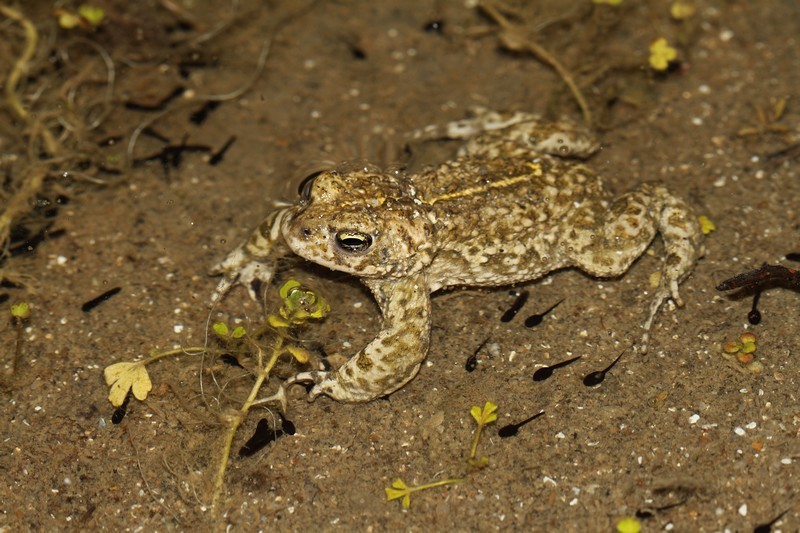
(626, 229)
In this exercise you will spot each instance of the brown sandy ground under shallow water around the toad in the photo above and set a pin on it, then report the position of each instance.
(682, 438)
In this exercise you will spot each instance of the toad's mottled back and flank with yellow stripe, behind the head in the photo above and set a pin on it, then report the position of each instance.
(500, 221)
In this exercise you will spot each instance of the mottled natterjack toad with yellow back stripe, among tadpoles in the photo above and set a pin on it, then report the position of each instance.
(513, 206)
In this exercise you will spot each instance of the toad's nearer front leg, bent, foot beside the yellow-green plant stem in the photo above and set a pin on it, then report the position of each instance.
(394, 356)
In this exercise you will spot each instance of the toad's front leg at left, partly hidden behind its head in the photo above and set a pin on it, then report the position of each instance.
(254, 259)
